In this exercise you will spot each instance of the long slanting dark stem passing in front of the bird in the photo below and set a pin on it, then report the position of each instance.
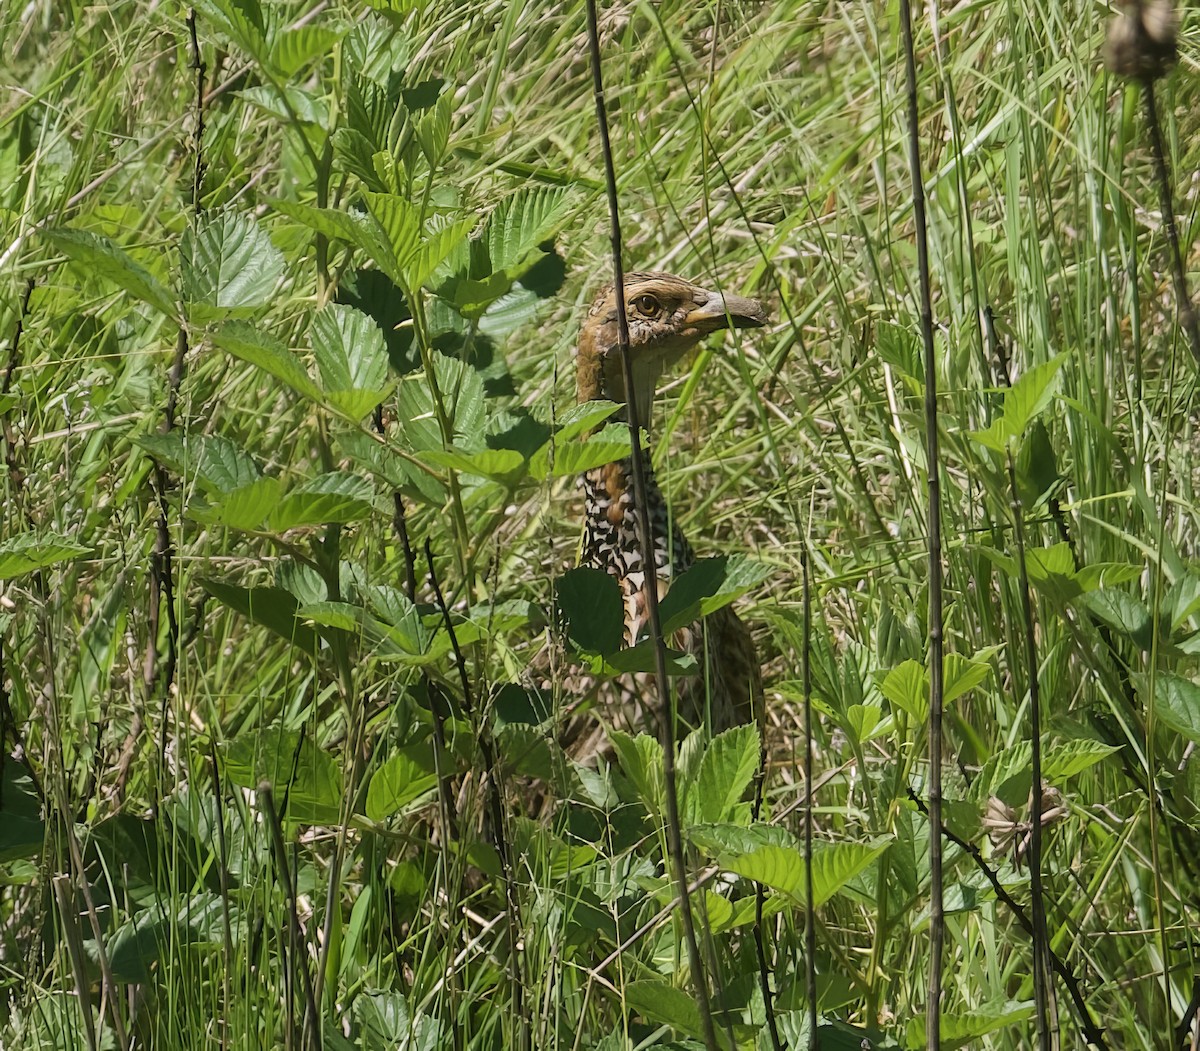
(674, 833)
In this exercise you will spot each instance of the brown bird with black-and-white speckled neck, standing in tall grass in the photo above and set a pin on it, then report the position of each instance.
(668, 316)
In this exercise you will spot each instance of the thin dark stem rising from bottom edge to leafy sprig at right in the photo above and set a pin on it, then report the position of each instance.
(1042, 989)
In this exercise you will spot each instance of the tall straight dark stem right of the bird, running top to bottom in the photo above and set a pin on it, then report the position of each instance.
(933, 465)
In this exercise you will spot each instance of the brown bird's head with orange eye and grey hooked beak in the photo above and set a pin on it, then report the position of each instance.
(668, 316)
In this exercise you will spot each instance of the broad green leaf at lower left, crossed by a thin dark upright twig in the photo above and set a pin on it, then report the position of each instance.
(298, 772)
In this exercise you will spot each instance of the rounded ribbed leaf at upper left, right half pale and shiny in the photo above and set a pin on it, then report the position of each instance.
(229, 263)
